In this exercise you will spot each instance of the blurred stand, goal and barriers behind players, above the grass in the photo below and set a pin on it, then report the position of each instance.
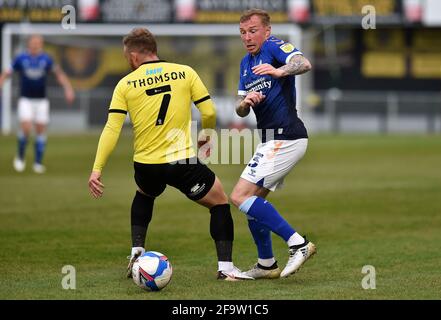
(382, 78)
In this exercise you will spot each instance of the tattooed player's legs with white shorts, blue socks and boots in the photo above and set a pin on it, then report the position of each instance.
(271, 163)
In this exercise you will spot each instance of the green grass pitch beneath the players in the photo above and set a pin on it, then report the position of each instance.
(364, 200)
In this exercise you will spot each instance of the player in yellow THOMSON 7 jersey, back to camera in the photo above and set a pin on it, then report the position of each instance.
(158, 95)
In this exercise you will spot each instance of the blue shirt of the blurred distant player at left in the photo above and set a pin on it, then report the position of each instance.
(33, 71)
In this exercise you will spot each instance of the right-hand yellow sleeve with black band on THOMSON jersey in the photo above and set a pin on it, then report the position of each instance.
(202, 100)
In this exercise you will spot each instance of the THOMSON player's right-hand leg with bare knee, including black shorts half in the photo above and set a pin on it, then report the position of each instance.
(201, 185)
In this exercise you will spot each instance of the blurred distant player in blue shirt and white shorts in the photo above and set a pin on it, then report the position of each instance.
(33, 67)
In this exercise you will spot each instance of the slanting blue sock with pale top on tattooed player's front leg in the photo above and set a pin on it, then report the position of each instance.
(266, 214)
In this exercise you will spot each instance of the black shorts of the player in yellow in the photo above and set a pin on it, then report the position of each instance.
(190, 176)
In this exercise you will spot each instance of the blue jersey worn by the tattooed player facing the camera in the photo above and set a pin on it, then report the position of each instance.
(278, 110)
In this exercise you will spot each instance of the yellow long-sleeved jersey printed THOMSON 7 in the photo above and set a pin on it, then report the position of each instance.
(157, 96)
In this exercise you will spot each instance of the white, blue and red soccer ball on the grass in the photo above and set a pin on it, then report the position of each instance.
(152, 271)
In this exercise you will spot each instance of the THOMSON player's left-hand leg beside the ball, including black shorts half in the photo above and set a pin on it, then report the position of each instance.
(150, 186)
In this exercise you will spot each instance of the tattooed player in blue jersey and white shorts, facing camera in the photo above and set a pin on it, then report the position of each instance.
(267, 85)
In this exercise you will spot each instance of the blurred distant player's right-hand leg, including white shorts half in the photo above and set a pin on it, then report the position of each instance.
(41, 122)
